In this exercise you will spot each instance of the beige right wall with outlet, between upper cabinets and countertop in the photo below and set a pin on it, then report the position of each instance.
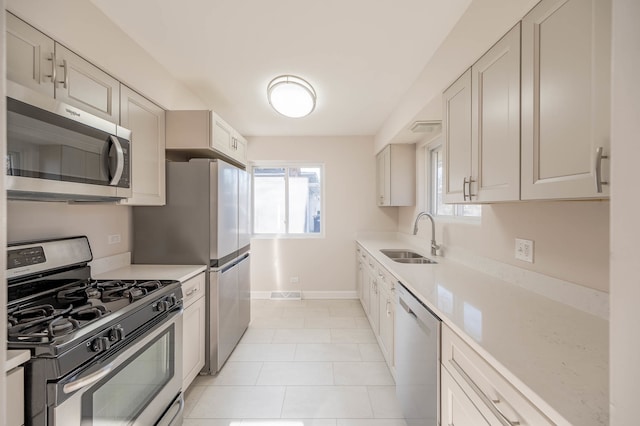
(571, 238)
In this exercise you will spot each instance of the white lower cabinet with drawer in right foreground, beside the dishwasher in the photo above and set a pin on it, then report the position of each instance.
(475, 383)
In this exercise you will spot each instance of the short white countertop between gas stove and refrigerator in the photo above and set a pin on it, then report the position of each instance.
(152, 272)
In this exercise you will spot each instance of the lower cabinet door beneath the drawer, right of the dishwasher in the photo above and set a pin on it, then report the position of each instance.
(457, 408)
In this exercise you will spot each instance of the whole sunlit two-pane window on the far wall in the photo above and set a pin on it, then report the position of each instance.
(288, 200)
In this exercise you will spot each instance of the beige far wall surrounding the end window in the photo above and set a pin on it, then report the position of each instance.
(328, 264)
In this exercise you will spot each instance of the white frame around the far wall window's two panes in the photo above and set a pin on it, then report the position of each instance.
(289, 165)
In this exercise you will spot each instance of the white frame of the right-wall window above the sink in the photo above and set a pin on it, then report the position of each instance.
(437, 145)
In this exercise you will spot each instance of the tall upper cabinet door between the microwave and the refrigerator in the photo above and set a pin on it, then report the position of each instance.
(146, 121)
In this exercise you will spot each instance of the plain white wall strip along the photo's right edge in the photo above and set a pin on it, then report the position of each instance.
(625, 205)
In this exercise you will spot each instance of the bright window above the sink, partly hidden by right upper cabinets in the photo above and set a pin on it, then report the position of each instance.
(434, 157)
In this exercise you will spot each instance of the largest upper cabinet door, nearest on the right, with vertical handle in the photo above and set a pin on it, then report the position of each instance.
(566, 58)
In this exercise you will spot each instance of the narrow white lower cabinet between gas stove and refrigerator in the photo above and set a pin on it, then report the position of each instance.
(193, 329)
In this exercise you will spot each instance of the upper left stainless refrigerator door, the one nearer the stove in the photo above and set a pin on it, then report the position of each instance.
(224, 178)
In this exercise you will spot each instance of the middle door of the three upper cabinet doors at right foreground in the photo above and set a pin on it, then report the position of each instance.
(495, 138)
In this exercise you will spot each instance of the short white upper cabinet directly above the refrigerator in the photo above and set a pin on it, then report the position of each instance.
(204, 133)
